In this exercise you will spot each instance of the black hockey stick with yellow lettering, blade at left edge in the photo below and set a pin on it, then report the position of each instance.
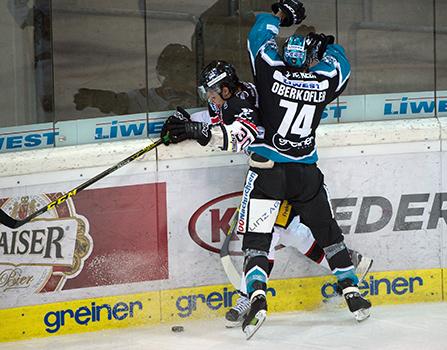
(7, 220)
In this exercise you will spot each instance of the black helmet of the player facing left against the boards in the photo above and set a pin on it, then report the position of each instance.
(215, 76)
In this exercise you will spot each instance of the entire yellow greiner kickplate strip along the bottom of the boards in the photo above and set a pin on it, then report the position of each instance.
(179, 305)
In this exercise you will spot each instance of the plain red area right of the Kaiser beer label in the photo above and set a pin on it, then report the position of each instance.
(129, 230)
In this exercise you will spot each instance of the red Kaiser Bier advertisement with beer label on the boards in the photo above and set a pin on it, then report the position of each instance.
(101, 237)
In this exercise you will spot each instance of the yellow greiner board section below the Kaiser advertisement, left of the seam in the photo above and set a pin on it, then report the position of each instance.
(80, 316)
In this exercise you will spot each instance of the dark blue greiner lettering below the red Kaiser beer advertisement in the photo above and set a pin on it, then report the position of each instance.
(83, 315)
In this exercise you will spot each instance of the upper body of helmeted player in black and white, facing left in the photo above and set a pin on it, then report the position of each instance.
(232, 107)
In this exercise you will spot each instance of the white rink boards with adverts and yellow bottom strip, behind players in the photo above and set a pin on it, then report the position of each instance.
(141, 246)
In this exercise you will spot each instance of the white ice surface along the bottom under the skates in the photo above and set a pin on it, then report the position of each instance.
(412, 326)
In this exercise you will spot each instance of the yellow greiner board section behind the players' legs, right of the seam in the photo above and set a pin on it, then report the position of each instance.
(299, 294)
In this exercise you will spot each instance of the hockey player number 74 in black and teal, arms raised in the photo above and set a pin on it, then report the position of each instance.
(293, 91)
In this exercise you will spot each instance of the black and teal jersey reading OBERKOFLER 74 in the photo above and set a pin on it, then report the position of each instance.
(291, 102)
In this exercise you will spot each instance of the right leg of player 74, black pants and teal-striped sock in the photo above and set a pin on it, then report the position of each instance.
(312, 203)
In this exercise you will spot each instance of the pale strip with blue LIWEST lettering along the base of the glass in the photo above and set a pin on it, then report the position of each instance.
(390, 106)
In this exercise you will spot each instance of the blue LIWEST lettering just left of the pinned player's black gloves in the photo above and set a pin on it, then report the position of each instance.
(127, 129)
